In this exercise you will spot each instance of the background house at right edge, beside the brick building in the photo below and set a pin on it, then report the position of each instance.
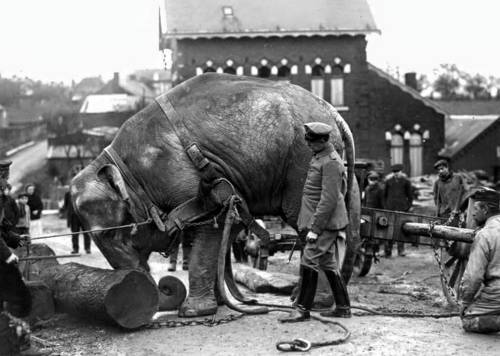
(473, 135)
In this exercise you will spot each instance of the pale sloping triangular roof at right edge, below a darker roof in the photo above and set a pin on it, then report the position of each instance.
(463, 130)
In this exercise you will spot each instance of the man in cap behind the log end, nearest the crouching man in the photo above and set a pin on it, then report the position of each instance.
(448, 190)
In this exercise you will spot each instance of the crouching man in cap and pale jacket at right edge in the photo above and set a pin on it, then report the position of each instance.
(480, 287)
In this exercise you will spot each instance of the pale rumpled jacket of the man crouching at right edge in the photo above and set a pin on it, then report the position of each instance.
(483, 269)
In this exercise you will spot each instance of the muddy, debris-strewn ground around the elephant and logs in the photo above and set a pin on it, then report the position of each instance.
(408, 283)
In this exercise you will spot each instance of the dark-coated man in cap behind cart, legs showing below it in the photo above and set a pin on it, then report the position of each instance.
(398, 196)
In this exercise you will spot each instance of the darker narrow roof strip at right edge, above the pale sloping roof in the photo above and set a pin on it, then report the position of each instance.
(470, 107)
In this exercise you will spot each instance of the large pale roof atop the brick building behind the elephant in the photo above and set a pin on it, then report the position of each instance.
(265, 18)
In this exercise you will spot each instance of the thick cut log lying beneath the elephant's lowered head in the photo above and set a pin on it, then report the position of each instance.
(128, 298)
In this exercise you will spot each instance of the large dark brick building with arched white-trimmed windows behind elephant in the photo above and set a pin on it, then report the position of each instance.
(321, 46)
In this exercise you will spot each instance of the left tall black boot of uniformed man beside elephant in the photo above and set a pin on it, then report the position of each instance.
(305, 299)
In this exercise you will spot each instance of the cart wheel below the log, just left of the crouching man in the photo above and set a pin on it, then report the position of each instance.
(453, 268)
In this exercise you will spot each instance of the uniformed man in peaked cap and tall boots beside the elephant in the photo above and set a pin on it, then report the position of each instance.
(323, 214)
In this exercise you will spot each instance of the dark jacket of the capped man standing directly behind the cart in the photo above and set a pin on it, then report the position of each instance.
(398, 195)
